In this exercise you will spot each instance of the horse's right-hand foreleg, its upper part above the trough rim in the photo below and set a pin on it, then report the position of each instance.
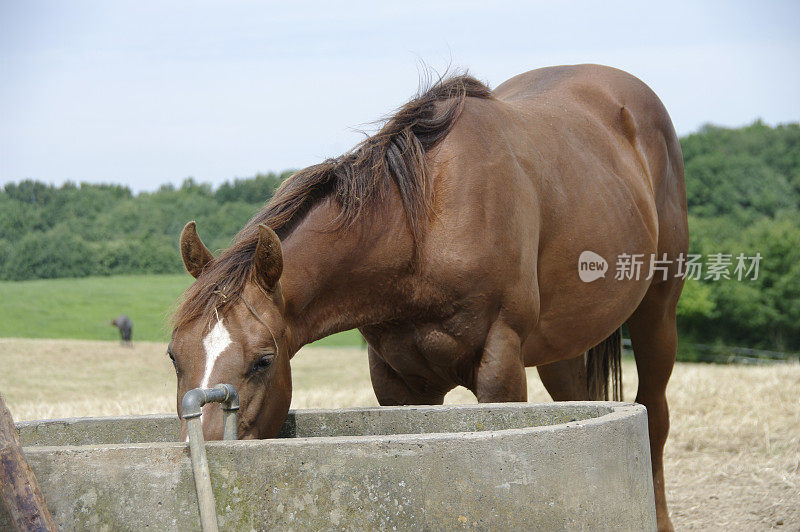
(500, 373)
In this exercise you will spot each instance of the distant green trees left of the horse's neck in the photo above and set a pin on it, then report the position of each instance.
(77, 231)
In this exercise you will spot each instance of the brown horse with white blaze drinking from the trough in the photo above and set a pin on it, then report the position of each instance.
(451, 239)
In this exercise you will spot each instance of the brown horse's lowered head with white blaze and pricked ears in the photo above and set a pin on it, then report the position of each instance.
(239, 338)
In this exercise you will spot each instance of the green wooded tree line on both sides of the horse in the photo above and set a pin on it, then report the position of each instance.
(743, 193)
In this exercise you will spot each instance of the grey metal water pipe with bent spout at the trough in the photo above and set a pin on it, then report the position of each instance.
(191, 408)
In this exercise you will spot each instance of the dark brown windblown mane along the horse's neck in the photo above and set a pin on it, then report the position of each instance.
(357, 181)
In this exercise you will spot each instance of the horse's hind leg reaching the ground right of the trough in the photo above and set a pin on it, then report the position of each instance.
(654, 338)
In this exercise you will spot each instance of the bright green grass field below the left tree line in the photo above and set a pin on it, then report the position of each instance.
(82, 309)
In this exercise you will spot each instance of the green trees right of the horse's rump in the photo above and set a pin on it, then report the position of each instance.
(743, 193)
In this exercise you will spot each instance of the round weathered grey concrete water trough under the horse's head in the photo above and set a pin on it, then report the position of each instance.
(491, 466)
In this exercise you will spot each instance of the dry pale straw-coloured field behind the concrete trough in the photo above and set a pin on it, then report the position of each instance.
(732, 459)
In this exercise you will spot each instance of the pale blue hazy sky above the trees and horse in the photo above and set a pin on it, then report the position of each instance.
(148, 92)
